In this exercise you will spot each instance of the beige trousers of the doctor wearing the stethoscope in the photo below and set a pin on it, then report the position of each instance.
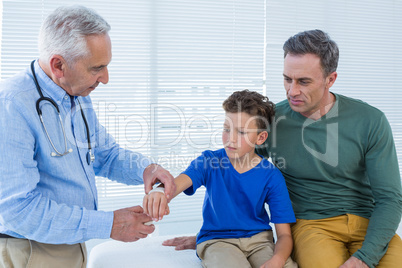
(19, 253)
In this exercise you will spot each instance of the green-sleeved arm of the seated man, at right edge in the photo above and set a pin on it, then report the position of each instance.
(383, 172)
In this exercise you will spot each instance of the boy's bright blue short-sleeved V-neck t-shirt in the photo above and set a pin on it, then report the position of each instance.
(234, 204)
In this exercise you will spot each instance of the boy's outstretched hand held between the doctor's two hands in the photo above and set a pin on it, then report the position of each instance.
(155, 205)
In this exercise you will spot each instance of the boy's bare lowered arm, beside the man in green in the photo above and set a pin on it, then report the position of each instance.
(283, 246)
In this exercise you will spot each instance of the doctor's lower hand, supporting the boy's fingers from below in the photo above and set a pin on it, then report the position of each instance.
(128, 224)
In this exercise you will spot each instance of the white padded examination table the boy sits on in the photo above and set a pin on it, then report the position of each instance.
(146, 253)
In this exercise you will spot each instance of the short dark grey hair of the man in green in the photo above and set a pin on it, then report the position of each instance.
(318, 43)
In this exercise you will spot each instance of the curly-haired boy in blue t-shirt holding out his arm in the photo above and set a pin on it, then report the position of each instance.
(236, 230)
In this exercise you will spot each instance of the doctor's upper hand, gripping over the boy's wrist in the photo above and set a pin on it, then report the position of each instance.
(155, 173)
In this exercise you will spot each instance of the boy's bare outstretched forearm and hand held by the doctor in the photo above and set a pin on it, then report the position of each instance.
(155, 204)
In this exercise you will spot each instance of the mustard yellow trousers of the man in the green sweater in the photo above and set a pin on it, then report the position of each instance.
(328, 243)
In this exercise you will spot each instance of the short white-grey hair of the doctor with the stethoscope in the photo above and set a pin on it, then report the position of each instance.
(63, 33)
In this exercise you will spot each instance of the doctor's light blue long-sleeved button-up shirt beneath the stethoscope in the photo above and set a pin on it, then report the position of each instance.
(54, 199)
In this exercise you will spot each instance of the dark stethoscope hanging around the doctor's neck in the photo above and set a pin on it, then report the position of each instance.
(90, 156)
